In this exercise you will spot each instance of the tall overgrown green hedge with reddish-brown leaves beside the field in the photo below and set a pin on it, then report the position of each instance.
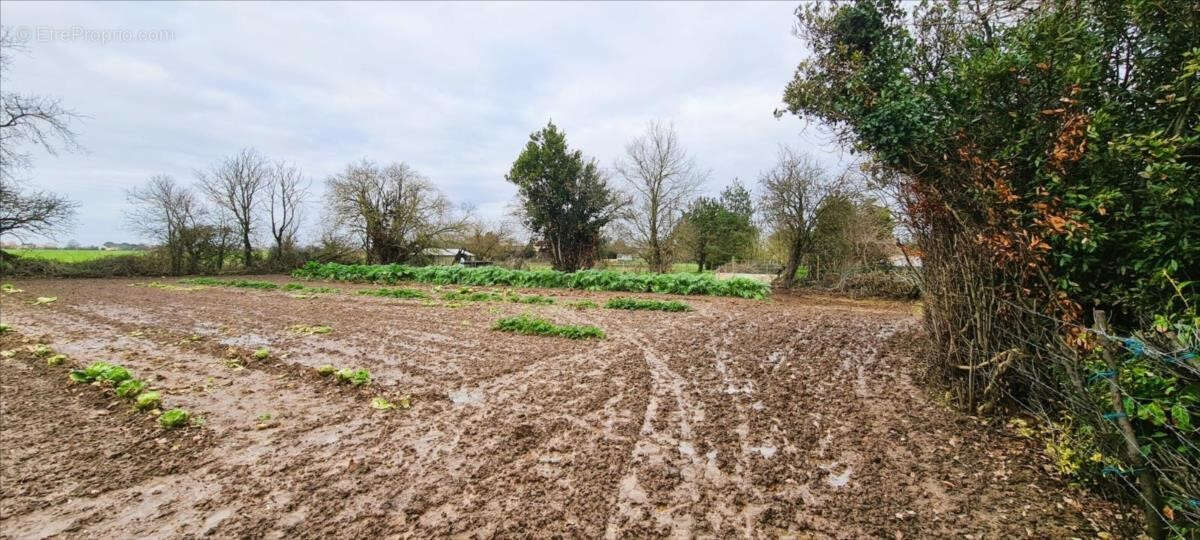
(1049, 158)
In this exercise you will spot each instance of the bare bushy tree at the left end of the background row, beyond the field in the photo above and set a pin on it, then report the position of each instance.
(167, 212)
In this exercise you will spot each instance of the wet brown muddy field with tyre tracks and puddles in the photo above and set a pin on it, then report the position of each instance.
(795, 417)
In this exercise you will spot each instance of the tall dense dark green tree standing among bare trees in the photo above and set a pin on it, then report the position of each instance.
(565, 199)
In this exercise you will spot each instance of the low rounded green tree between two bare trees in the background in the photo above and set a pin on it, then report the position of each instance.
(717, 231)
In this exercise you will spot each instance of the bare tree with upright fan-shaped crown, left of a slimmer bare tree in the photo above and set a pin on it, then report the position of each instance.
(235, 187)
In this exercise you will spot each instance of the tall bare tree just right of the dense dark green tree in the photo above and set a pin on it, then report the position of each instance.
(663, 178)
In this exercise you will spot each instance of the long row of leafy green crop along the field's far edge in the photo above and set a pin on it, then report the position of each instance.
(493, 277)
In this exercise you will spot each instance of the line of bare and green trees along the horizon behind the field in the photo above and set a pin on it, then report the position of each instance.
(650, 202)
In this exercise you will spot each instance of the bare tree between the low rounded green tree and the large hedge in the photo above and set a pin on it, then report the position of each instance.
(793, 193)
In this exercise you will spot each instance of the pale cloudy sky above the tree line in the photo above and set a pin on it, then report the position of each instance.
(452, 89)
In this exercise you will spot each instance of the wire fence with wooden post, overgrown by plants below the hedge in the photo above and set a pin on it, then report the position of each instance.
(1130, 400)
